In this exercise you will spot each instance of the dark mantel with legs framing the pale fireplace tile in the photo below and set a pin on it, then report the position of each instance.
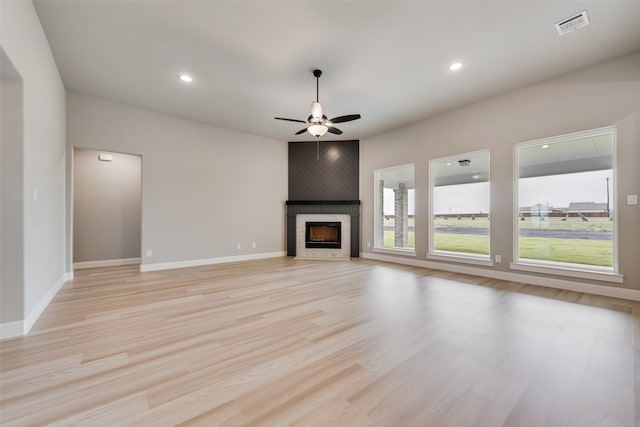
(344, 207)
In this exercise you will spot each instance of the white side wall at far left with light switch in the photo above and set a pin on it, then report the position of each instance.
(25, 44)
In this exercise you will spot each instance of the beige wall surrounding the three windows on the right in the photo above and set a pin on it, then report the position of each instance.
(602, 95)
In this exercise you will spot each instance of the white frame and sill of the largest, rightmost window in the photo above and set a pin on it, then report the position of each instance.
(583, 271)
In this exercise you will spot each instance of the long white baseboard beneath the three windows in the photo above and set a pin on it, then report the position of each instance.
(567, 285)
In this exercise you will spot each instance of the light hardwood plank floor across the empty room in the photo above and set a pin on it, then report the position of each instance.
(282, 342)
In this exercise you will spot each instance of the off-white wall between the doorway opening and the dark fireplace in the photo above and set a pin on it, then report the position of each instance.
(204, 189)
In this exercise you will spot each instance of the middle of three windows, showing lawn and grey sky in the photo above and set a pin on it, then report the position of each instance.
(459, 214)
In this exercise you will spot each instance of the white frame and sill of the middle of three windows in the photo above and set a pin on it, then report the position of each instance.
(462, 257)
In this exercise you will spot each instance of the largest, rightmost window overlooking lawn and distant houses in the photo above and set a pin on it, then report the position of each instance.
(565, 201)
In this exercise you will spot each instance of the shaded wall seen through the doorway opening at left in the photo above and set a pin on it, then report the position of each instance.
(107, 207)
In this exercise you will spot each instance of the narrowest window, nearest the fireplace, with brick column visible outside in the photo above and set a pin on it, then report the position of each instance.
(395, 208)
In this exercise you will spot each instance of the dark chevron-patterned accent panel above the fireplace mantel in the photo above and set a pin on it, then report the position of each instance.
(335, 176)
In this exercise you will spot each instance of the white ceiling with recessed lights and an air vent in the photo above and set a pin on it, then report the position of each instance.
(388, 61)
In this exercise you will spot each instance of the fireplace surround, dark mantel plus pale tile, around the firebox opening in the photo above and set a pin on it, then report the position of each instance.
(345, 211)
